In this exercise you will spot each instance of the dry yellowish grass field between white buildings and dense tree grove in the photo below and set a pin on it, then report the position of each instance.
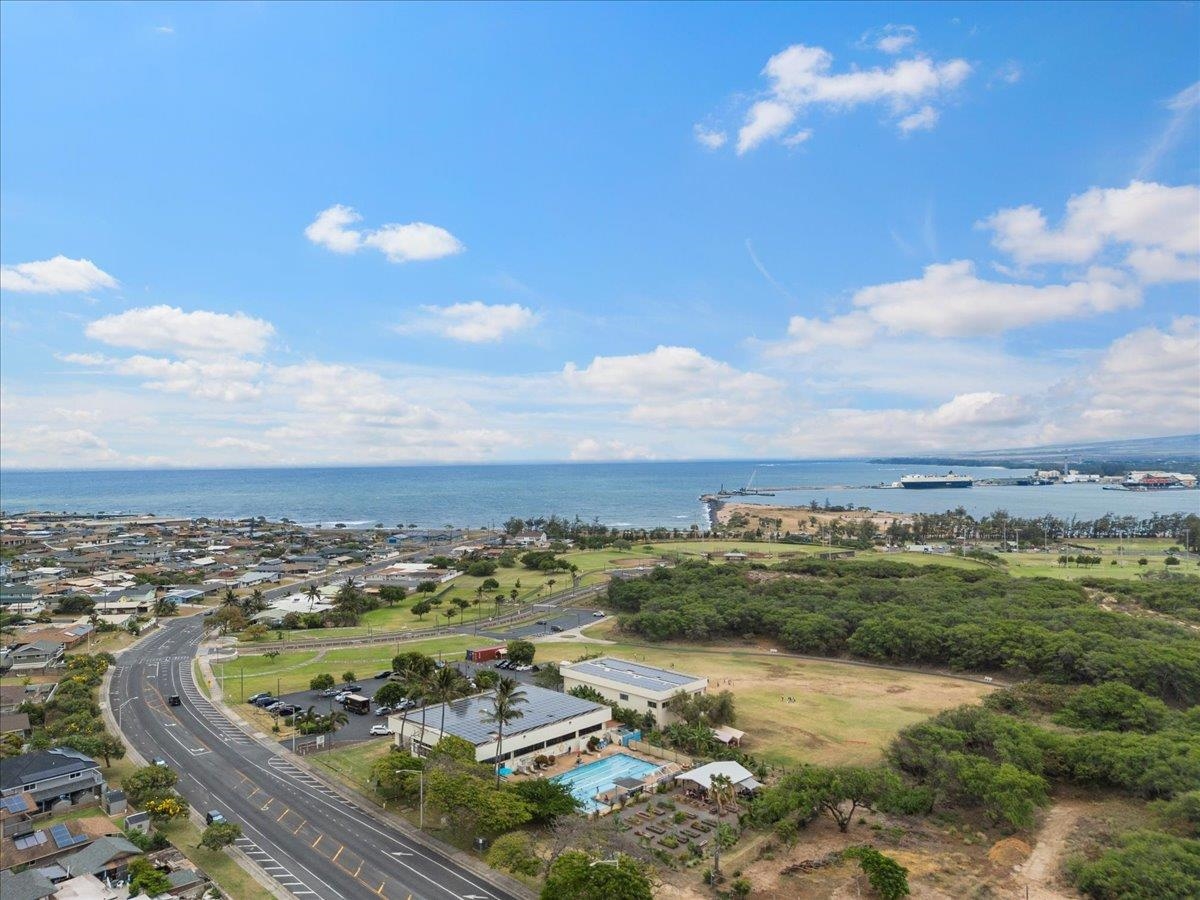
(843, 715)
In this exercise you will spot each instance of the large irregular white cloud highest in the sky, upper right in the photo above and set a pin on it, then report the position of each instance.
(801, 79)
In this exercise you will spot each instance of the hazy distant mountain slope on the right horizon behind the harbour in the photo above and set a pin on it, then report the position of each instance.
(1178, 453)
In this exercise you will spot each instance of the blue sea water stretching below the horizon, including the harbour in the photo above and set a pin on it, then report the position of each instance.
(644, 494)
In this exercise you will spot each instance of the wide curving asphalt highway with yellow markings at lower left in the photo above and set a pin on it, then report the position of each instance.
(307, 837)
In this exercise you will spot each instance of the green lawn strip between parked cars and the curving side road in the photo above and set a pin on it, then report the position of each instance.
(293, 670)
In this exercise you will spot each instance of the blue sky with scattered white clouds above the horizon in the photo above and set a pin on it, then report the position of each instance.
(247, 235)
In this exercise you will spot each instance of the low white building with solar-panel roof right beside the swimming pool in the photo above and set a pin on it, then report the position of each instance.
(553, 723)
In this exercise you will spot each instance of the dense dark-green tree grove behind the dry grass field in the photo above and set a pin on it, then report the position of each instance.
(897, 613)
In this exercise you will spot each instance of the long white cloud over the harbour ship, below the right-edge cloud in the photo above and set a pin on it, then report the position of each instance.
(951, 301)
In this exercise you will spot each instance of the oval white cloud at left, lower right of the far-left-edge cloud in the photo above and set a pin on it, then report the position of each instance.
(171, 329)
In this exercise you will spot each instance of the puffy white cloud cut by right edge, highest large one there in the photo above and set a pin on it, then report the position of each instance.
(1142, 217)
